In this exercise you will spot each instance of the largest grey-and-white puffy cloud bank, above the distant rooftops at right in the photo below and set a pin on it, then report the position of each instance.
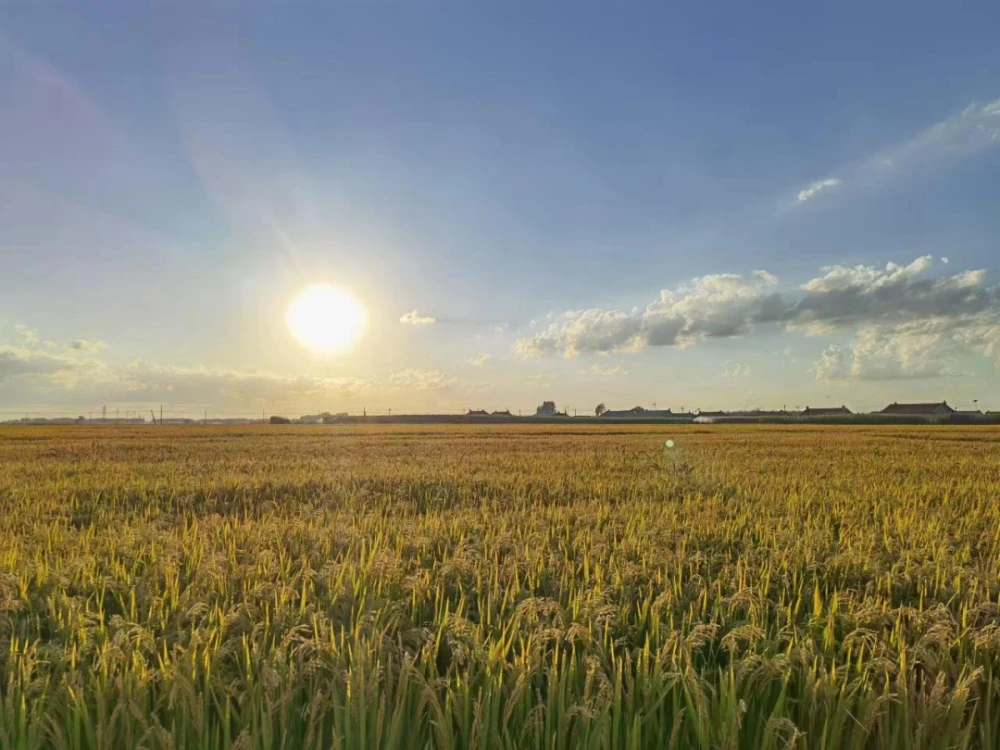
(907, 322)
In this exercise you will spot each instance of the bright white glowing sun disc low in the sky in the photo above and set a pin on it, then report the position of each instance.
(326, 318)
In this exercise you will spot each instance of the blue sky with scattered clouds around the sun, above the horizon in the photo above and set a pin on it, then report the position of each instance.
(697, 205)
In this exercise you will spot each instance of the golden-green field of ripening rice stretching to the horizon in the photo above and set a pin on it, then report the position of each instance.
(500, 587)
